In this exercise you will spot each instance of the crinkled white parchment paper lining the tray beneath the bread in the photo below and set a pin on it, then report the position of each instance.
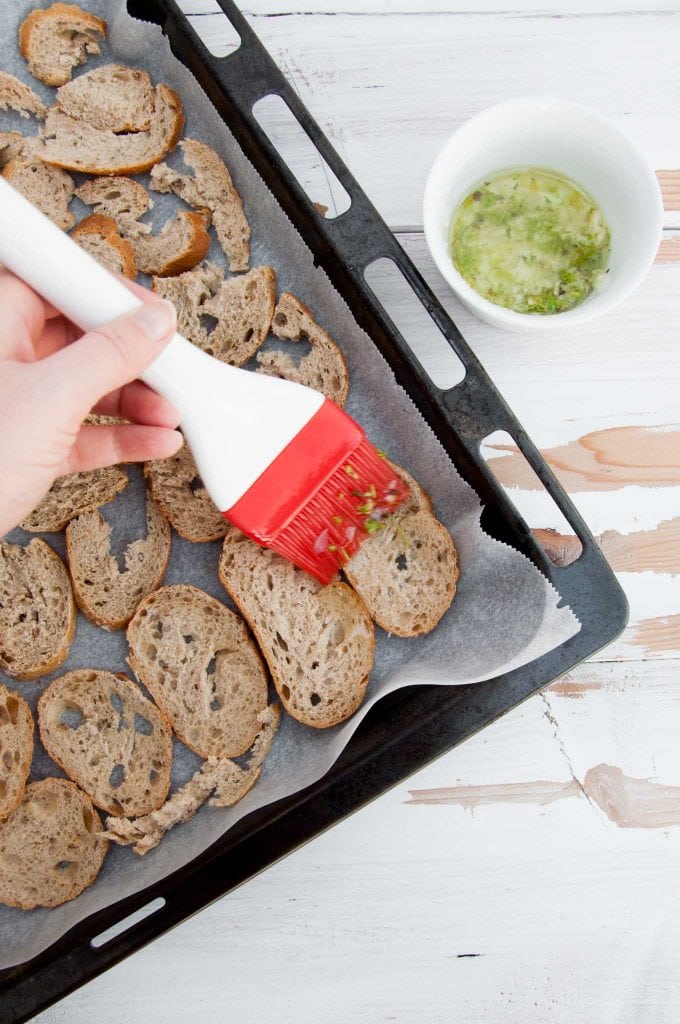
(504, 616)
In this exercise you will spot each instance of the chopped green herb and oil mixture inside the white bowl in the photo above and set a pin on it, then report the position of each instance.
(531, 241)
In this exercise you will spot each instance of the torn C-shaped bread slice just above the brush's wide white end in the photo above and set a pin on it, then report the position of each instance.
(324, 368)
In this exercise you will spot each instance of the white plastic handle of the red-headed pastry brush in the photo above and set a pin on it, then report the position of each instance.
(236, 422)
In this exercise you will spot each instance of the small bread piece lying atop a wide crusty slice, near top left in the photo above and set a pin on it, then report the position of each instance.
(113, 98)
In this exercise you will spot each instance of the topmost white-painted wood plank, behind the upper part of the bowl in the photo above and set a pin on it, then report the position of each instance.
(389, 91)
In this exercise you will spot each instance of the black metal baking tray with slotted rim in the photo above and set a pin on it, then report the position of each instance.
(414, 726)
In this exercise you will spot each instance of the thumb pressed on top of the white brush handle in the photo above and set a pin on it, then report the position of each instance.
(110, 357)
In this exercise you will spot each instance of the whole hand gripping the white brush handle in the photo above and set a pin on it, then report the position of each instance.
(50, 382)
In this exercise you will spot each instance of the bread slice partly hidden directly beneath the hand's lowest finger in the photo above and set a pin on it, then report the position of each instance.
(71, 496)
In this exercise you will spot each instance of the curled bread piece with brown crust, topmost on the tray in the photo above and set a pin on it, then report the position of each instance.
(59, 39)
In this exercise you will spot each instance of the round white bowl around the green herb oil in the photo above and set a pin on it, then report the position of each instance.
(575, 142)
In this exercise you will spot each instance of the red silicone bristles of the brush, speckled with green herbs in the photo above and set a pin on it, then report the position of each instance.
(356, 502)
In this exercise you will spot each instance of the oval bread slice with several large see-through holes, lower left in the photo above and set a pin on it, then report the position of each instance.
(109, 739)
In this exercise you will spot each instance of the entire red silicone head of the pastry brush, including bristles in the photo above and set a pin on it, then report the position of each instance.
(326, 493)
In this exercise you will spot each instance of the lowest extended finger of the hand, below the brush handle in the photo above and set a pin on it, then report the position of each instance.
(99, 446)
